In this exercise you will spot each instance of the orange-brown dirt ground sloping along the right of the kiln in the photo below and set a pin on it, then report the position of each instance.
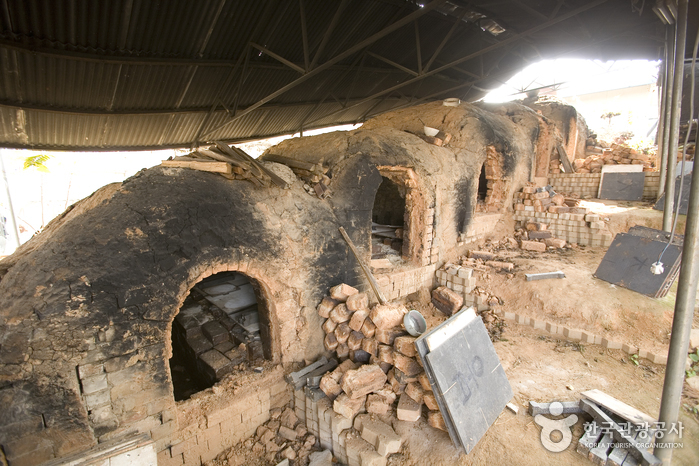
(541, 367)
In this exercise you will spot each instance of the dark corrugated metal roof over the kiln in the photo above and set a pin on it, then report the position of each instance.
(123, 74)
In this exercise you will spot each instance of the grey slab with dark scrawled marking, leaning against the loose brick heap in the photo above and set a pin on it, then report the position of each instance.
(466, 375)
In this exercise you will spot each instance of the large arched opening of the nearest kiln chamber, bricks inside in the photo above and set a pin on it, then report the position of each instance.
(222, 327)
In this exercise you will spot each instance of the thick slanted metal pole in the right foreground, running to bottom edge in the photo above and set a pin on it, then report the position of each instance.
(681, 324)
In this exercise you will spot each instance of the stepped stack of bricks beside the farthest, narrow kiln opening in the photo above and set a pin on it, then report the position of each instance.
(549, 221)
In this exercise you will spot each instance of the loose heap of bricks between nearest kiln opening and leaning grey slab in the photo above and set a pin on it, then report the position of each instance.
(380, 363)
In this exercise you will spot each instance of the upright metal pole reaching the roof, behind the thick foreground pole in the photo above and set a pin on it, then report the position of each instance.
(678, 73)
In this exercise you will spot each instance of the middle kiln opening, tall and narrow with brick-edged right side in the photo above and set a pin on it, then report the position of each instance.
(388, 219)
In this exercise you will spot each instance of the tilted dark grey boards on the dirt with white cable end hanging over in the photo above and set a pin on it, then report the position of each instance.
(628, 260)
